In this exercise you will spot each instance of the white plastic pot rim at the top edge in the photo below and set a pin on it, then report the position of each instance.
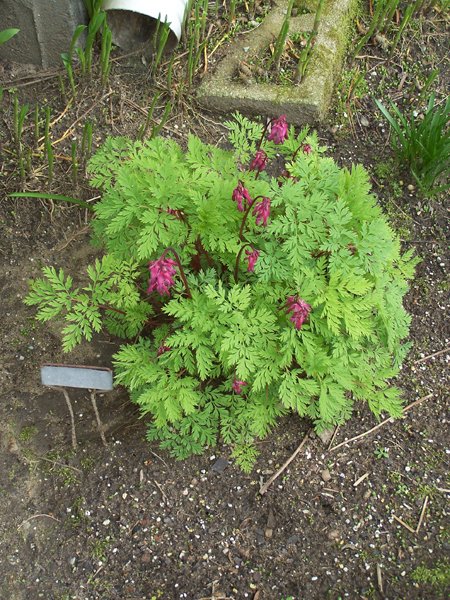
(171, 11)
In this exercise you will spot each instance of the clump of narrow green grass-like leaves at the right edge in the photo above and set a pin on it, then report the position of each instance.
(423, 145)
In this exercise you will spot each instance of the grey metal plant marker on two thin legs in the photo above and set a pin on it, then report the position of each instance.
(94, 379)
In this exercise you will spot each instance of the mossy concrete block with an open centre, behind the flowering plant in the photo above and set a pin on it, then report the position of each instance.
(307, 102)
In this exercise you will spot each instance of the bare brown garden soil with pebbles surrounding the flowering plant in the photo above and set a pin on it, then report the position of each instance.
(366, 520)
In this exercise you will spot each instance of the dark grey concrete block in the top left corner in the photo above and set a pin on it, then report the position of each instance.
(46, 29)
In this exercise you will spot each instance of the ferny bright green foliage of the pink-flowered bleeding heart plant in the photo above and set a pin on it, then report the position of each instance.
(326, 242)
